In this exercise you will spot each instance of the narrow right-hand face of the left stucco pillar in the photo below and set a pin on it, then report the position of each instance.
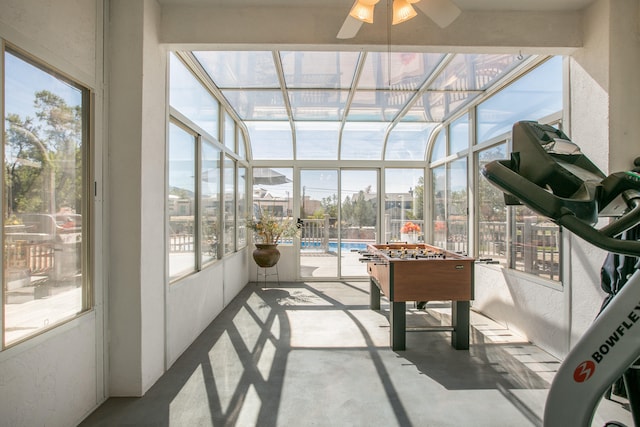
(153, 200)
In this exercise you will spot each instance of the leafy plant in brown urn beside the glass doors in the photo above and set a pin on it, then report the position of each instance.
(268, 230)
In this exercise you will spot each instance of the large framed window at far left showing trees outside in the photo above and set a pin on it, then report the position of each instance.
(45, 215)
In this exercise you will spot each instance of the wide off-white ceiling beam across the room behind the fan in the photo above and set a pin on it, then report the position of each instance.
(315, 28)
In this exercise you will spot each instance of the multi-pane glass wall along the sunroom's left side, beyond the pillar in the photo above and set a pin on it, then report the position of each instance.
(205, 215)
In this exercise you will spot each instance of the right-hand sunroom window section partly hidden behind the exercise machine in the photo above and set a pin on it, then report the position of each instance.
(517, 237)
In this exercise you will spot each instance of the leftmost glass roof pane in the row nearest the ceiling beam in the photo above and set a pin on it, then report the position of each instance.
(240, 69)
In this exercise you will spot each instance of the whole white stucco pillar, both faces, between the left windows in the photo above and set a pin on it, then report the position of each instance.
(135, 306)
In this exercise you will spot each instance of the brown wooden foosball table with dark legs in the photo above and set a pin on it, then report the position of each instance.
(420, 272)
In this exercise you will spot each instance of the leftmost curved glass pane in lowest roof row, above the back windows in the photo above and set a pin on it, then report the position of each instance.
(270, 140)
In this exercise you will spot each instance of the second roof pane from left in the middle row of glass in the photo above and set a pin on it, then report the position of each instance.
(318, 104)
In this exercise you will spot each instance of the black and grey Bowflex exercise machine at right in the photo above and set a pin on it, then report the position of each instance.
(548, 173)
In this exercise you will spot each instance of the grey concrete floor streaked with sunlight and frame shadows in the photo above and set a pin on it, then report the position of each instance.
(314, 354)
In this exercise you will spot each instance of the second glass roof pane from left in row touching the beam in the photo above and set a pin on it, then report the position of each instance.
(321, 70)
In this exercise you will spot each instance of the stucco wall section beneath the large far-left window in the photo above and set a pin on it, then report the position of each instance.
(51, 380)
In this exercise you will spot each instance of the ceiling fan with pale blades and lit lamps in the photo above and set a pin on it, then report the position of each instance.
(442, 12)
